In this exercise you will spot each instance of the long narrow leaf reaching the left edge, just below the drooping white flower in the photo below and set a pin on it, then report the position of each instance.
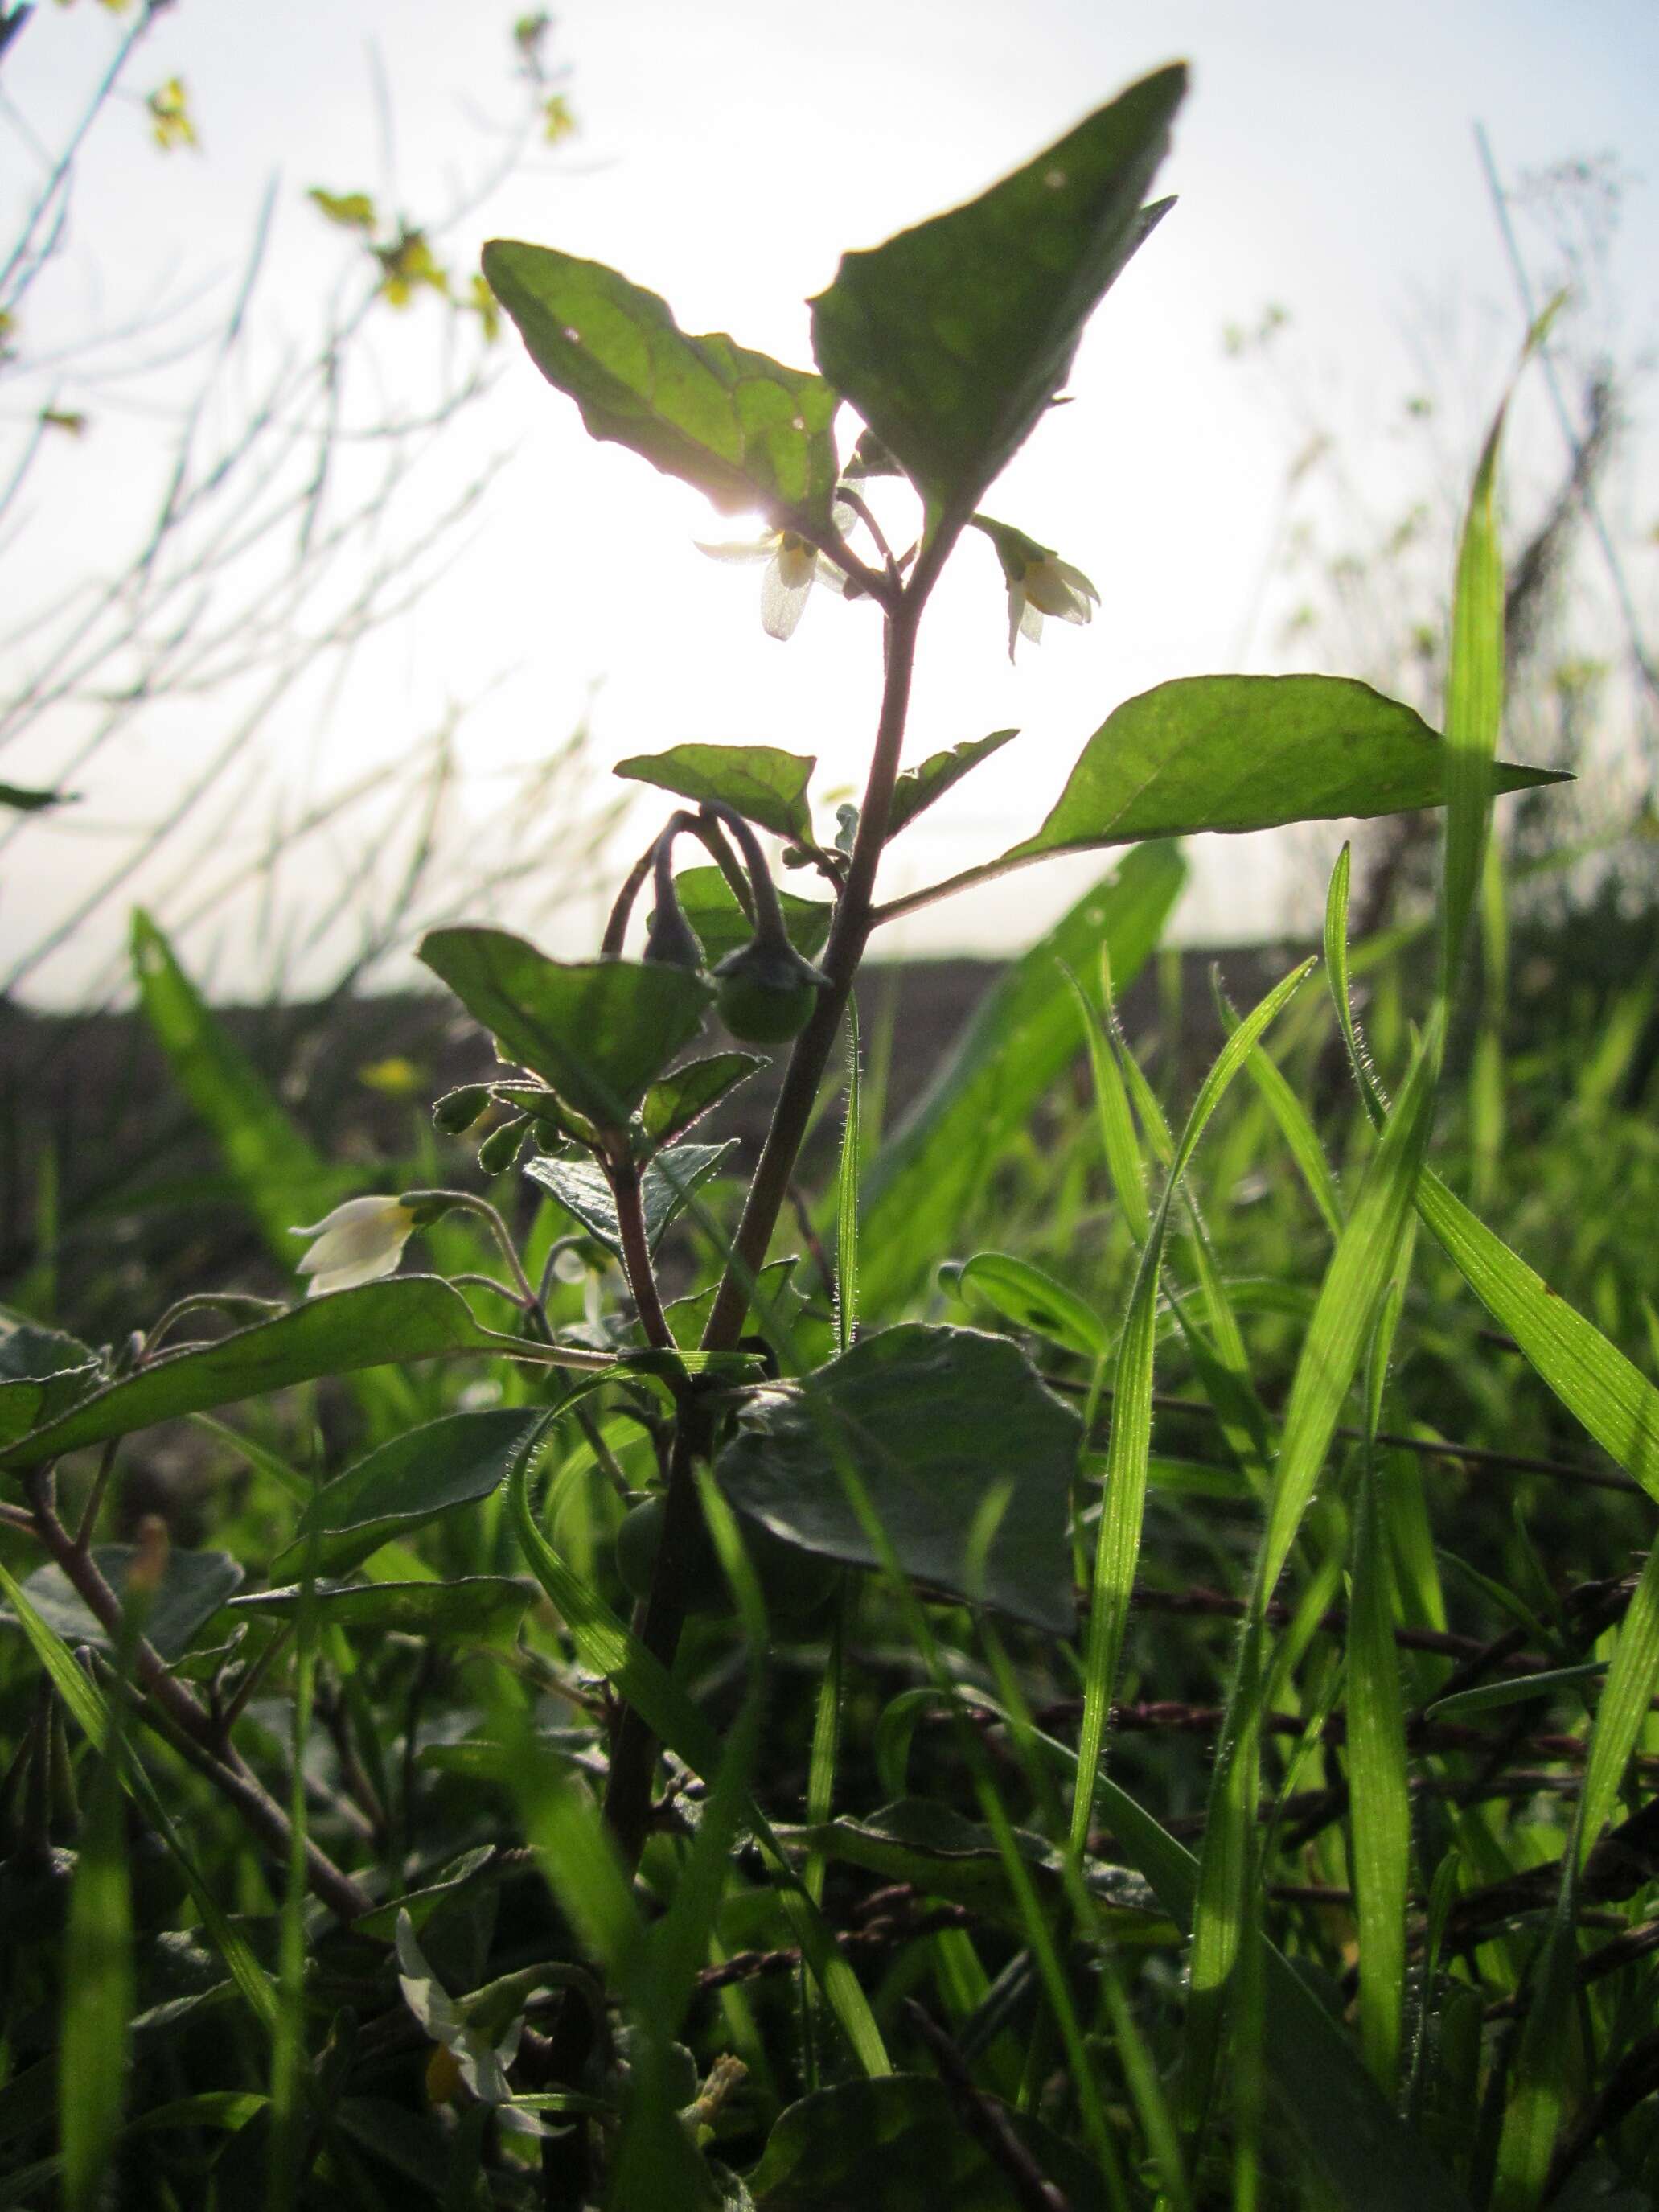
(410, 1317)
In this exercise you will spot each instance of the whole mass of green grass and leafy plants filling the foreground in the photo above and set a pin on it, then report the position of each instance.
(359, 1844)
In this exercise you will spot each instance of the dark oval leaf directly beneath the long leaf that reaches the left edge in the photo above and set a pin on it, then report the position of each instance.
(415, 1479)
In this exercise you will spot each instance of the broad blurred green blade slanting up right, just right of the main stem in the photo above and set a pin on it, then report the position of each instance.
(924, 1182)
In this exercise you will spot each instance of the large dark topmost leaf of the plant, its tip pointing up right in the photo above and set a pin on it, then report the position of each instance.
(954, 337)
